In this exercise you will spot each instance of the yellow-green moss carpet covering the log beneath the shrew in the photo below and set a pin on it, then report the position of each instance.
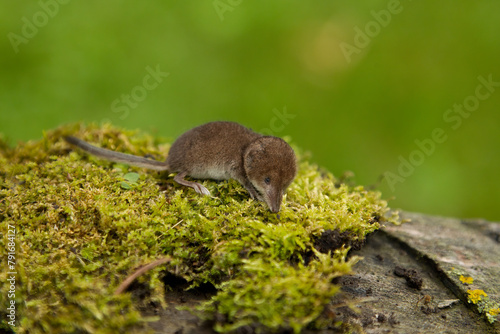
(84, 224)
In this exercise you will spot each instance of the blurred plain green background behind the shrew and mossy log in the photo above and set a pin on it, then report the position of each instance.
(354, 83)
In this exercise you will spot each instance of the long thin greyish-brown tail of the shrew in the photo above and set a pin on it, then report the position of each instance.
(125, 158)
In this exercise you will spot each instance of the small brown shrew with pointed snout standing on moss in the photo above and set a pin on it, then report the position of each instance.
(264, 165)
